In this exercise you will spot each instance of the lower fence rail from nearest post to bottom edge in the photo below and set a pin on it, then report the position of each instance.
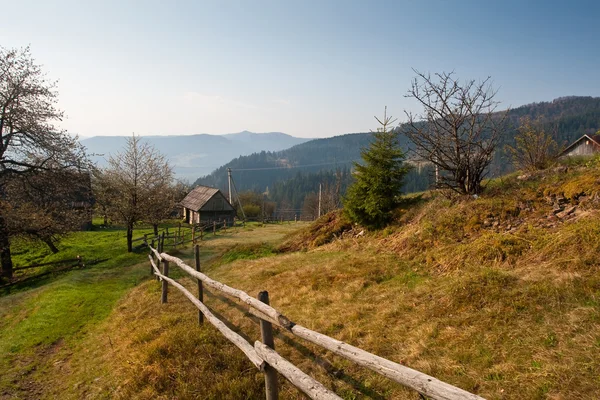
(311, 387)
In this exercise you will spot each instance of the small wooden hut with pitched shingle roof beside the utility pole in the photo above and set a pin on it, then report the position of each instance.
(206, 204)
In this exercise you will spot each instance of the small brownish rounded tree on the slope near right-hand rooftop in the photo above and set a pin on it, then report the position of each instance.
(534, 148)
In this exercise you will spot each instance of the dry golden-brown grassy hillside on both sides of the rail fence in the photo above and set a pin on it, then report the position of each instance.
(498, 295)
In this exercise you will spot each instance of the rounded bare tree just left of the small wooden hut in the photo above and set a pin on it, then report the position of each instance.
(137, 176)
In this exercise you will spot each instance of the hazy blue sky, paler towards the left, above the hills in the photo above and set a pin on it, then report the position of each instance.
(307, 68)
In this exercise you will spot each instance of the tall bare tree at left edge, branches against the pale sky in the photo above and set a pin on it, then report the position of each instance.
(29, 140)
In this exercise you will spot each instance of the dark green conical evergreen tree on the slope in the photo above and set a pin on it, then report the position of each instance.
(375, 193)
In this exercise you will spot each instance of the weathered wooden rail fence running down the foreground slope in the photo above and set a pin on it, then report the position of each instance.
(266, 359)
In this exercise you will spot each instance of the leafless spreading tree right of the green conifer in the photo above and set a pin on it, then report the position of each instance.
(458, 130)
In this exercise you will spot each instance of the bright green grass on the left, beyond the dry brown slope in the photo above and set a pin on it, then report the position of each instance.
(59, 309)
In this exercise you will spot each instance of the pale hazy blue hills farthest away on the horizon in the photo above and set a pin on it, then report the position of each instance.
(195, 155)
